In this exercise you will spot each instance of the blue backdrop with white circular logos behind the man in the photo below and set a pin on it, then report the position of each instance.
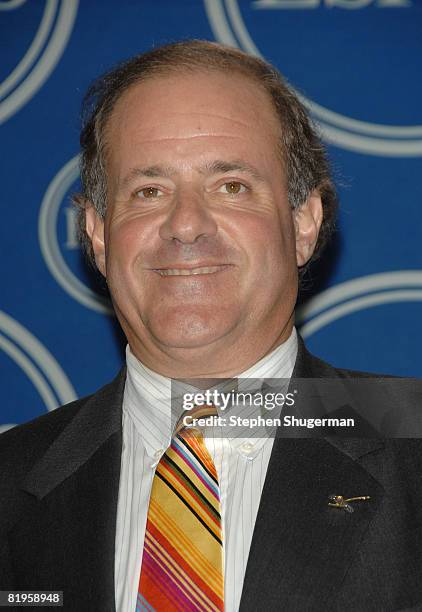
(357, 65)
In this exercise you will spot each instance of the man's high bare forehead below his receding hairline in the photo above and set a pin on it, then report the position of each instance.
(183, 113)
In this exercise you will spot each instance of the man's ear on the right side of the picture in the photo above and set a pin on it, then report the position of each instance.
(307, 221)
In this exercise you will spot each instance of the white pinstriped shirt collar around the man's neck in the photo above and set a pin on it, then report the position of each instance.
(147, 397)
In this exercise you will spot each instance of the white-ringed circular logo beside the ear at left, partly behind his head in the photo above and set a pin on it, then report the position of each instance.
(58, 239)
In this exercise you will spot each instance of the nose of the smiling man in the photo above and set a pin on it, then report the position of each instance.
(188, 219)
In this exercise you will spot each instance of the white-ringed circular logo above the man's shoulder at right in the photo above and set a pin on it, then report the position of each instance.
(340, 319)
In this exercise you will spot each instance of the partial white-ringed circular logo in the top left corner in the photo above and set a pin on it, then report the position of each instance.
(36, 53)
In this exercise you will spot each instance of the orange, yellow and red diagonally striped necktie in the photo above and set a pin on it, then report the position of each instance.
(182, 563)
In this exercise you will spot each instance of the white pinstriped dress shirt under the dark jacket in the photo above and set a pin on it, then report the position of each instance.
(241, 463)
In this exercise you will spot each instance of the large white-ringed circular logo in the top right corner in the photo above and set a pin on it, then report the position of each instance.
(336, 51)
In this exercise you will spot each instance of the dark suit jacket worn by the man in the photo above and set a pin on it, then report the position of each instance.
(59, 483)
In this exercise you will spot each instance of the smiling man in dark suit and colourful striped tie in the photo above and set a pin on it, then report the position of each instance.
(205, 191)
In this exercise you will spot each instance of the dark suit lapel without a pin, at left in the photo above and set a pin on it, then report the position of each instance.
(67, 536)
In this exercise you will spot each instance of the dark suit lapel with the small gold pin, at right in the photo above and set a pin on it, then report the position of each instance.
(302, 548)
